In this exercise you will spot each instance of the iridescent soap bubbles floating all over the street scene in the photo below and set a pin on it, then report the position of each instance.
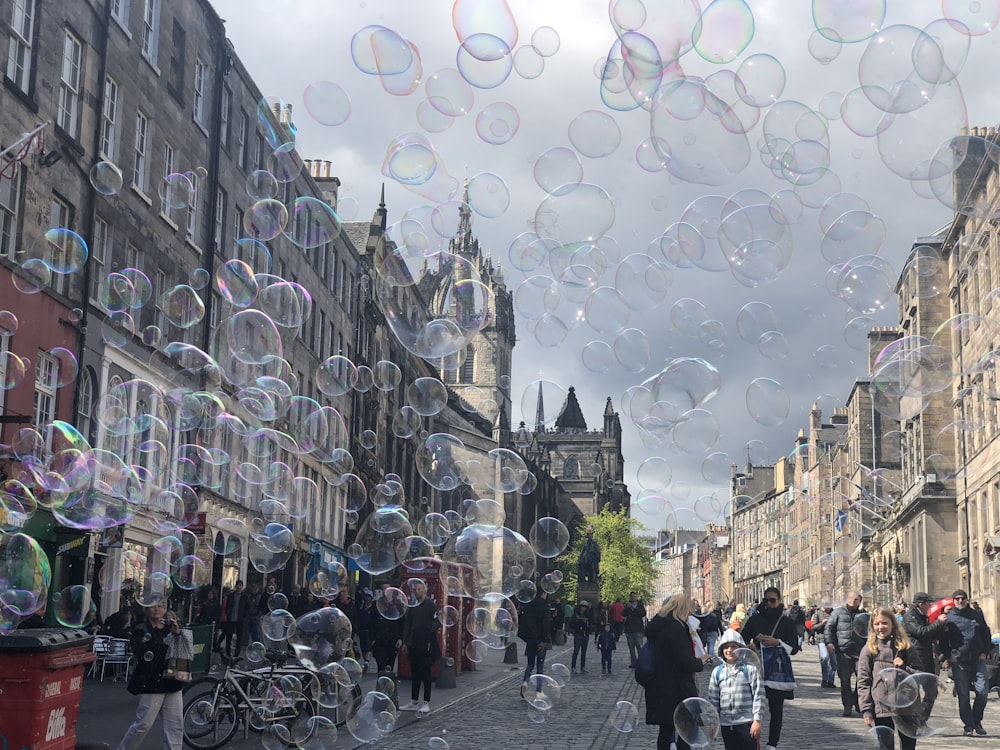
(235, 419)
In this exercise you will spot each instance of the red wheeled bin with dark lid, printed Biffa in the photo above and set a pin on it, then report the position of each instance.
(41, 678)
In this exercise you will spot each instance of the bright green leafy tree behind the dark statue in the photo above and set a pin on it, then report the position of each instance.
(626, 563)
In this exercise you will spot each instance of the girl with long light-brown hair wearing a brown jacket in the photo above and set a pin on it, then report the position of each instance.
(879, 666)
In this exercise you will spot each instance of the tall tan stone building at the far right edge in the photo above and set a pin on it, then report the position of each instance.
(969, 248)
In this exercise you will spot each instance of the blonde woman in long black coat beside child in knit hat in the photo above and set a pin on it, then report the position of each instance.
(673, 655)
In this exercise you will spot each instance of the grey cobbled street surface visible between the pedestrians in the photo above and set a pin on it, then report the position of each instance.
(485, 712)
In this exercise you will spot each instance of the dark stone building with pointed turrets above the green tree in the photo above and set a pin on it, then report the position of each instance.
(588, 463)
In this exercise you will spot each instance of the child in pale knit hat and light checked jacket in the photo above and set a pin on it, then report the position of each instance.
(735, 690)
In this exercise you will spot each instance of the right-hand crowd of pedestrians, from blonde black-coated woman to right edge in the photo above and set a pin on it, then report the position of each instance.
(868, 652)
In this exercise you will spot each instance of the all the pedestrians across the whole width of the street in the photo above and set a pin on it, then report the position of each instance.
(867, 653)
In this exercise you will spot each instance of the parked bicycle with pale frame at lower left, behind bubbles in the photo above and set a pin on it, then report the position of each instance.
(261, 699)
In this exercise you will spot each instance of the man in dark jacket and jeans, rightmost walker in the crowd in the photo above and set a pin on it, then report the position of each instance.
(970, 638)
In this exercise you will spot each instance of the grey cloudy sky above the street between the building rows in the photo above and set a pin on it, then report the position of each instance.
(816, 176)
